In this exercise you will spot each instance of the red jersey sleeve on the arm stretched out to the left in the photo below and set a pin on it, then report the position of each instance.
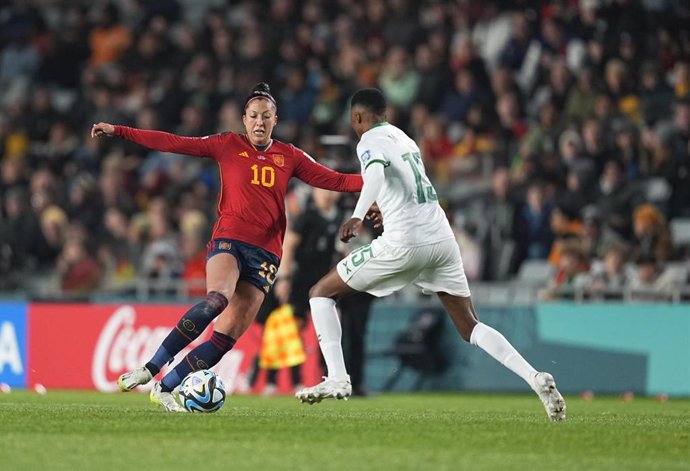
(207, 146)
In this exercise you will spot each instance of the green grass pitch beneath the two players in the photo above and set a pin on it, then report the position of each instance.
(92, 431)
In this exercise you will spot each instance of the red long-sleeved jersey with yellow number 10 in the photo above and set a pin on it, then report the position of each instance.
(251, 202)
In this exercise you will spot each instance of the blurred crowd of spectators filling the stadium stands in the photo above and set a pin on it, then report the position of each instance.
(553, 130)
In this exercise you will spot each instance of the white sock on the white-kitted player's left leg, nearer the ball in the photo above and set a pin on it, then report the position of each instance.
(329, 333)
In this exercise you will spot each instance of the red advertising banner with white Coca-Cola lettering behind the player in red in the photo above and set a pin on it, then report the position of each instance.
(88, 346)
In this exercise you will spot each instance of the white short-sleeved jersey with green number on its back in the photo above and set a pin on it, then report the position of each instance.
(411, 214)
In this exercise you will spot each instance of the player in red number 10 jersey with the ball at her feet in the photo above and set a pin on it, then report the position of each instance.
(245, 250)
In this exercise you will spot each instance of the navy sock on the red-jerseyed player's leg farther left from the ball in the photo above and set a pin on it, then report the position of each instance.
(190, 326)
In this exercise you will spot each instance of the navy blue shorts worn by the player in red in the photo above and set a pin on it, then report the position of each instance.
(256, 265)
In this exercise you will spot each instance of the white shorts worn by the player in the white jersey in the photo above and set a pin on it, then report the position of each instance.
(380, 269)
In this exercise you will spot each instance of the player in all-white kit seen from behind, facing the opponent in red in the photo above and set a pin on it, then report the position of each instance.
(417, 246)
